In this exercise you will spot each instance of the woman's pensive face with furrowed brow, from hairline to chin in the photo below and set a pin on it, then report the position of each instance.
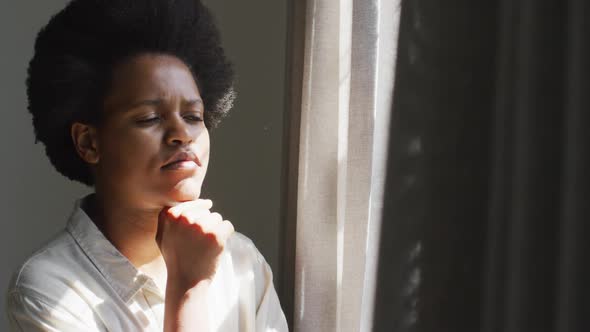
(153, 114)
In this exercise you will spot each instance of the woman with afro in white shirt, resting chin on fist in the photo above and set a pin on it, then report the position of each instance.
(123, 93)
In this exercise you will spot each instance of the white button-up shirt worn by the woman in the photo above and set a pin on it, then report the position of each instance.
(80, 282)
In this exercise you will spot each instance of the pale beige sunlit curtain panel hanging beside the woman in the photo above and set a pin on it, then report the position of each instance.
(346, 90)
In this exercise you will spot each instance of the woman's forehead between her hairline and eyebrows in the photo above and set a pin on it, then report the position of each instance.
(151, 76)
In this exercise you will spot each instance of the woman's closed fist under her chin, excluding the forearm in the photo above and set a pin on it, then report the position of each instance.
(191, 238)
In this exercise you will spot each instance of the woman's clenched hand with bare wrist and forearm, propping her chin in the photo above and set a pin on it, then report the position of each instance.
(190, 238)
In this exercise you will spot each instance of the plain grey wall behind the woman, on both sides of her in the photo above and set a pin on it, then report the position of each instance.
(244, 178)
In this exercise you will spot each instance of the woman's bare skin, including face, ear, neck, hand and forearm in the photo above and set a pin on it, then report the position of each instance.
(154, 111)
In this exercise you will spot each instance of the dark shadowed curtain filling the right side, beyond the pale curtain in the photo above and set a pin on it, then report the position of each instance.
(485, 222)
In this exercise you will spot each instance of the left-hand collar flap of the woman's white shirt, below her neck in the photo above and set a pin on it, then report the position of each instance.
(121, 275)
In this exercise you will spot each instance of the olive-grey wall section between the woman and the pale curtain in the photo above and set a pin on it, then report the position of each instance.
(244, 174)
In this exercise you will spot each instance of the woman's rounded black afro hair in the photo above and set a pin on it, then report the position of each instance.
(75, 53)
